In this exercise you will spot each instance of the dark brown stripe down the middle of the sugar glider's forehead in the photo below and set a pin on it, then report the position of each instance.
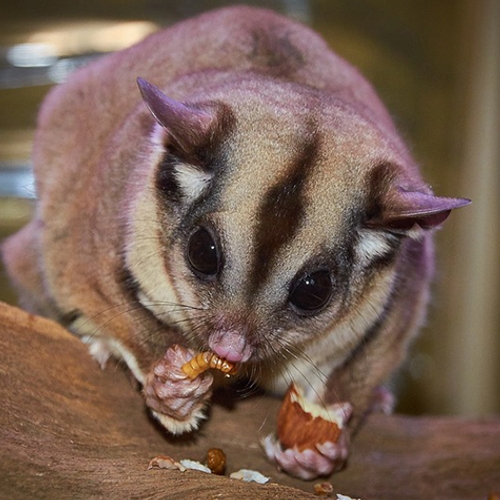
(281, 213)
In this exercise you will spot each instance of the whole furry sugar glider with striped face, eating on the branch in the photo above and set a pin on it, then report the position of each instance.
(275, 155)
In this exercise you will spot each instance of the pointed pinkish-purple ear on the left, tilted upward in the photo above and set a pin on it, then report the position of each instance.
(188, 126)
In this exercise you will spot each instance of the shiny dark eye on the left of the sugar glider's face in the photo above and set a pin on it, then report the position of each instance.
(203, 254)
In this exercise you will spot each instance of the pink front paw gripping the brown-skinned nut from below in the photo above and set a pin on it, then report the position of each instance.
(323, 460)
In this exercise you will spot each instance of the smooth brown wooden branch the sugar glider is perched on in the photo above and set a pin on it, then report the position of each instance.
(70, 430)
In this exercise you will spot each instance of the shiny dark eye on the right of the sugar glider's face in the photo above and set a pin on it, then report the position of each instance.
(312, 292)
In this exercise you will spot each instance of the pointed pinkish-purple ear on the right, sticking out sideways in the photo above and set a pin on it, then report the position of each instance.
(403, 210)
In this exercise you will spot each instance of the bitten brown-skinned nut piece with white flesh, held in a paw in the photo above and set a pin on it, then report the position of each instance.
(303, 425)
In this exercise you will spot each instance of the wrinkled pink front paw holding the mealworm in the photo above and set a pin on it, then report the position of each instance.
(176, 400)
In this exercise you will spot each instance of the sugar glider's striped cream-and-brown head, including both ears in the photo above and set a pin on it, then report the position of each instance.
(271, 214)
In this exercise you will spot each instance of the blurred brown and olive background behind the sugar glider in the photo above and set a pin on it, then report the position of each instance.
(437, 67)
